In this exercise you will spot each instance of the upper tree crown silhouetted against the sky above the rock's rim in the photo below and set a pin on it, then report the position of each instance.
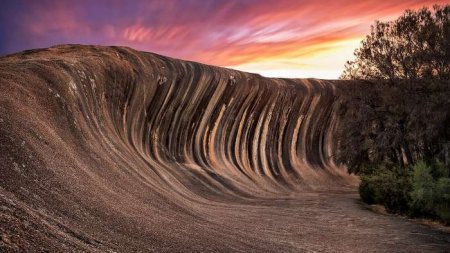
(415, 46)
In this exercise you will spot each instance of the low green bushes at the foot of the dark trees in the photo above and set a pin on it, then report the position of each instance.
(425, 192)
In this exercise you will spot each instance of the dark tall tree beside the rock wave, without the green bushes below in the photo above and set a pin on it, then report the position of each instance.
(399, 113)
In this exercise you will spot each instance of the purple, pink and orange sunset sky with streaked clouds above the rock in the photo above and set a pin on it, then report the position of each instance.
(275, 38)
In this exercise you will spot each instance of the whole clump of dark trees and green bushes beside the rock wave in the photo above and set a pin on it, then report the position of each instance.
(395, 127)
